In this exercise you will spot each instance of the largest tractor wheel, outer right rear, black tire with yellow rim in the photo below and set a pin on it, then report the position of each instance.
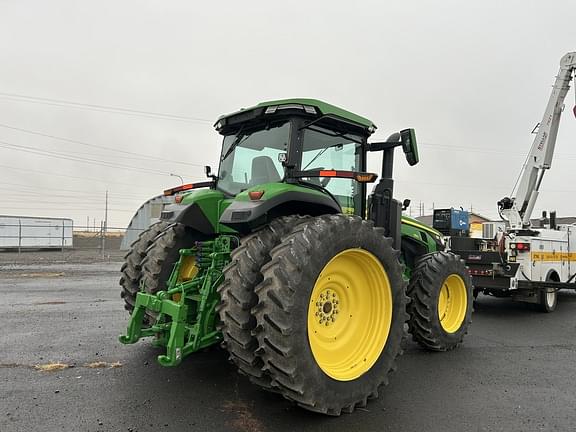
(331, 313)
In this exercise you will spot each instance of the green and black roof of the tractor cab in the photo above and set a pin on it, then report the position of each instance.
(321, 107)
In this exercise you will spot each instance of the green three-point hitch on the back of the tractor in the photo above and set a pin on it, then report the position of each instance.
(185, 313)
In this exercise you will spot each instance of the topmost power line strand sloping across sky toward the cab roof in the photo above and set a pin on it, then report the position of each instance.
(101, 108)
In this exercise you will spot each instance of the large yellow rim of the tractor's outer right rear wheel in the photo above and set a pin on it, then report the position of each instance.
(349, 314)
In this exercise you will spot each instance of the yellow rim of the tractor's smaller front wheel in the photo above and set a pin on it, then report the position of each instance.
(452, 303)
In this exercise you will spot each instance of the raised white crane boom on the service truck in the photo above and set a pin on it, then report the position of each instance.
(518, 209)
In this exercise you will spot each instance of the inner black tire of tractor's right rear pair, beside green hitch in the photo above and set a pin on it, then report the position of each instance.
(238, 298)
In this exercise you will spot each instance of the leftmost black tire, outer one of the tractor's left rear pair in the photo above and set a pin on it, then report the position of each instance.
(132, 267)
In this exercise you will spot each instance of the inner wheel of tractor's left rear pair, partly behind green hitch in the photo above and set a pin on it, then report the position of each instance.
(163, 253)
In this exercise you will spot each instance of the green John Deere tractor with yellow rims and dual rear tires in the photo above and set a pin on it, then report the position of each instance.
(283, 259)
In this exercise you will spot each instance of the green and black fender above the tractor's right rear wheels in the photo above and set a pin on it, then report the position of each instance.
(247, 211)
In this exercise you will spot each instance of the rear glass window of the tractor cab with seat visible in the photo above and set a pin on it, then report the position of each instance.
(251, 157)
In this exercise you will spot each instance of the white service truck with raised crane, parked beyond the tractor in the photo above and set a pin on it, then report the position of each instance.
(525, 262)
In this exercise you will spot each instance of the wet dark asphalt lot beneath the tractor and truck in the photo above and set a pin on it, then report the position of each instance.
(515, 372)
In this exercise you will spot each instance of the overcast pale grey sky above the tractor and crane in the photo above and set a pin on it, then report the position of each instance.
(472, 78)
